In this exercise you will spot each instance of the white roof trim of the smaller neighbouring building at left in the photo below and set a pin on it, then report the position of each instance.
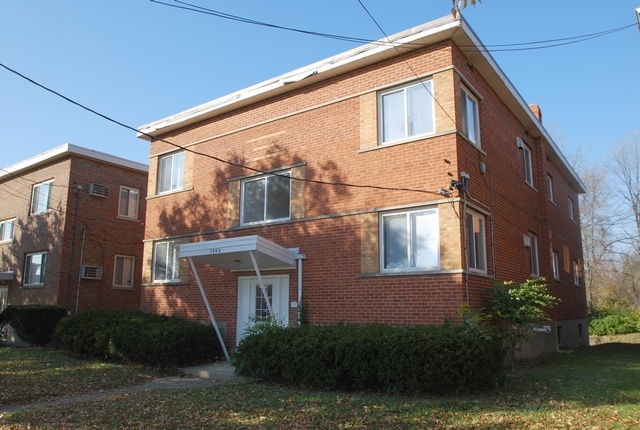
(70, 149)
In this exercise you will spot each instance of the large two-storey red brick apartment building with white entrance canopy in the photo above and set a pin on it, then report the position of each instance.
(388, 184)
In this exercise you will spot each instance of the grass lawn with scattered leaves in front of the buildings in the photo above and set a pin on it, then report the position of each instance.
(595, 388)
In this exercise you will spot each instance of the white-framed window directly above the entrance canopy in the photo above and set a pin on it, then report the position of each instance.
(267, 198)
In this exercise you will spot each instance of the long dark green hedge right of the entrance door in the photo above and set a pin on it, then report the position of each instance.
(431, 359)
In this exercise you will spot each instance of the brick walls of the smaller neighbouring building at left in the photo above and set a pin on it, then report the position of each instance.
(104, 234)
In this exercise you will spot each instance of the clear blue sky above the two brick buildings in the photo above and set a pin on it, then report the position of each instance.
(138, 61)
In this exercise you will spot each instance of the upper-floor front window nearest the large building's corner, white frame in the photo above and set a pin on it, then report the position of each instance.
(406, 112)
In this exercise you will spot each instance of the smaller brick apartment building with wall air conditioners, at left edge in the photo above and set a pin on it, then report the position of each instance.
(71, 230)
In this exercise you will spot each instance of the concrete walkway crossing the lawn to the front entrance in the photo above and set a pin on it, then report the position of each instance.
(202, 376)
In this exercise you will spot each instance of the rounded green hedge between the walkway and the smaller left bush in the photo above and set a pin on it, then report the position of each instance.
(138, 337)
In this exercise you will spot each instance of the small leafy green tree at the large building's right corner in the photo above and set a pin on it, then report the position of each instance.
(515, 307)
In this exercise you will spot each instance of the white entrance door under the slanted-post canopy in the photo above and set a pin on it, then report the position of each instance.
(252, 305)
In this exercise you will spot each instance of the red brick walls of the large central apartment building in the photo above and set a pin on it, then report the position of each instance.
(324, 127)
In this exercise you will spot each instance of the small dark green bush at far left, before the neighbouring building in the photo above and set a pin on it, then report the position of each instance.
(34, 324)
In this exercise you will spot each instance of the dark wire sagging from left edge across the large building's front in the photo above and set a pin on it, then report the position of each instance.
(221, 160)
